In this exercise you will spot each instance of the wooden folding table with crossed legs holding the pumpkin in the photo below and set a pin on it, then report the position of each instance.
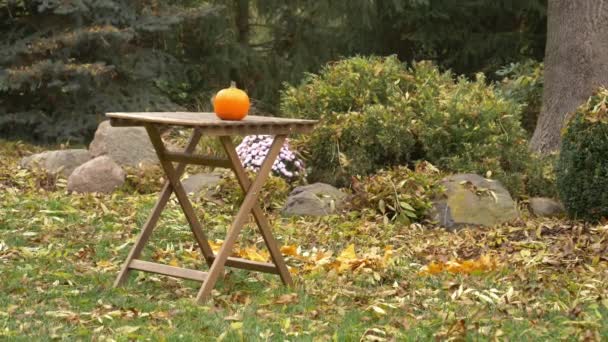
(209, 124)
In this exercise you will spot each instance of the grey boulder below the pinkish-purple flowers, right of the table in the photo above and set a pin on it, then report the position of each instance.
(316, 199)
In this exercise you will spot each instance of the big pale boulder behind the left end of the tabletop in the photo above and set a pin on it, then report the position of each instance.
(127, 146)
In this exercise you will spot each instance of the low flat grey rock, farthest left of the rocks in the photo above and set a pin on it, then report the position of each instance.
(61, 161)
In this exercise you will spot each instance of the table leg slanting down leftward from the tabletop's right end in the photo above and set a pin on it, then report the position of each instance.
(240, 219)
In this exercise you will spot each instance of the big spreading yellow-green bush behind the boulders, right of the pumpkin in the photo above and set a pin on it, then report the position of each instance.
(375, 112)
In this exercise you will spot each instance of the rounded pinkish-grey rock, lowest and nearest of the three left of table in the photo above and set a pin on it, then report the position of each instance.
(101, 174)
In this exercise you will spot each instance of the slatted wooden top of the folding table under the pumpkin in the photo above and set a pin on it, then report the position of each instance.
(210, 124)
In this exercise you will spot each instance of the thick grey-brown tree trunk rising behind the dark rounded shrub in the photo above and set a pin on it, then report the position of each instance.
(576, 63)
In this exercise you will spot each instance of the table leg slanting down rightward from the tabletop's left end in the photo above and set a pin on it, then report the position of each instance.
(180, 193)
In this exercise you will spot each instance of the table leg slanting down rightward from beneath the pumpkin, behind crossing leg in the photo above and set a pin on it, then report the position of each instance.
(258, 214)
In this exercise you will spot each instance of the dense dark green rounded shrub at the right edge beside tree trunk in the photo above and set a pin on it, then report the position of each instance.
(582, 168)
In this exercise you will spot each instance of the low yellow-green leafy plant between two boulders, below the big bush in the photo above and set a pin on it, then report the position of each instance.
(399, 193)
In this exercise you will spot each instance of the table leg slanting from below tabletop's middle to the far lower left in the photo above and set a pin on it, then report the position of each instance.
(150, 224)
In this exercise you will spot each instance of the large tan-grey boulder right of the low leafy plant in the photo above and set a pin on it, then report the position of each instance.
(470, 199)
